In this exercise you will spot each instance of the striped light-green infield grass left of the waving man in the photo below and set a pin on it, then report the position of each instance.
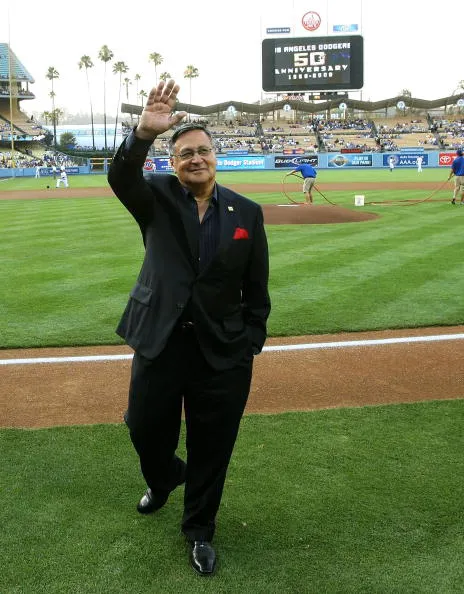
(70, 262)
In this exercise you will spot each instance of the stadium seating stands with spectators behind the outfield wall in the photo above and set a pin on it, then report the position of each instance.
(267, 127)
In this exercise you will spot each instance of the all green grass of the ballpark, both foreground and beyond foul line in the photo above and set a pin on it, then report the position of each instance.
(365, 500)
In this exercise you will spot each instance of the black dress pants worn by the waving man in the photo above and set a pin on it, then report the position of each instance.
(213, 401)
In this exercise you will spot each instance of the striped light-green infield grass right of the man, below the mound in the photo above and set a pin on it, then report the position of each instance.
(365, 279)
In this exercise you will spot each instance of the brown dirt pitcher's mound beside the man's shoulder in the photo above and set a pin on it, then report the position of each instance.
(304, 214)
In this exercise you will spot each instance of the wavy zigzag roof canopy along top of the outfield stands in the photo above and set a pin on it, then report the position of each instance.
(305, 107)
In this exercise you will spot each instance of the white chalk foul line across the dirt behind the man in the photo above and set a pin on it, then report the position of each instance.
(287, 347)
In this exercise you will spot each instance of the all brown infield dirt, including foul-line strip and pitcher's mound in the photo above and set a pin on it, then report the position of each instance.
(74, 393)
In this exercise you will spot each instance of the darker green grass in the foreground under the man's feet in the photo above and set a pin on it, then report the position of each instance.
(349, 500)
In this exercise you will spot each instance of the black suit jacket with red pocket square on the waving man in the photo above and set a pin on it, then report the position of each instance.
(229, 299)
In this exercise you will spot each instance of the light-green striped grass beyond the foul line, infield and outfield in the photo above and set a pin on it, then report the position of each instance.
(68, 265)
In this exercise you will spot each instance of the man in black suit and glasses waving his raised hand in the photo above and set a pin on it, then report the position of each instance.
(195, 318)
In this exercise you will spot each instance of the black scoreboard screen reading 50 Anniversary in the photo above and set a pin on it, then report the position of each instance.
(313, 63)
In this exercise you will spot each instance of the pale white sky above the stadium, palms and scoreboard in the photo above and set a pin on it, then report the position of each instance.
(408, 44)
